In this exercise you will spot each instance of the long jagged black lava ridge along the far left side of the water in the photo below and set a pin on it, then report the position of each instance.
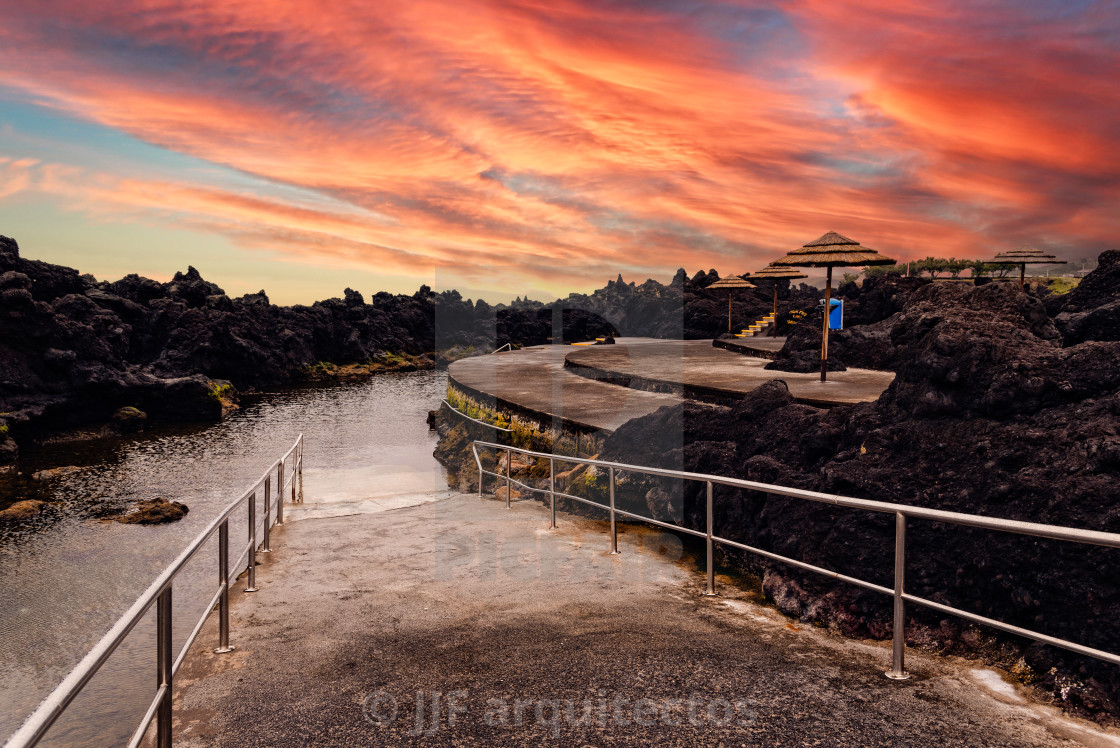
(76, 352)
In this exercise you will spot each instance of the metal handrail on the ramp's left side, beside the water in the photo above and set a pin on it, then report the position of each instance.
(160, 594)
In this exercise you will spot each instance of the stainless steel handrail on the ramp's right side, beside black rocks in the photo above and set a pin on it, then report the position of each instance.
(902, 512)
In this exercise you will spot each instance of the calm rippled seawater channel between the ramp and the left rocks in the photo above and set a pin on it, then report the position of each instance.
(66, 582)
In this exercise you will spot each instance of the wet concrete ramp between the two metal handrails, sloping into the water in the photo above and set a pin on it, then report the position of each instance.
(368, 627)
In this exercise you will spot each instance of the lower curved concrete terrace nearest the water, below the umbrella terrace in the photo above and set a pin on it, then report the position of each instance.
(536, 381)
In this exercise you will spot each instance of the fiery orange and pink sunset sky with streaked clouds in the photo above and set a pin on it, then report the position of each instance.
(511, 147)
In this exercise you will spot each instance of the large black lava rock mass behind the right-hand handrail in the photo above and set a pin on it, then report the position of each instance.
(988, 415)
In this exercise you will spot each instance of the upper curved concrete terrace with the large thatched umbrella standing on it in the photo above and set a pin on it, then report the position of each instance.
(701, 368)
